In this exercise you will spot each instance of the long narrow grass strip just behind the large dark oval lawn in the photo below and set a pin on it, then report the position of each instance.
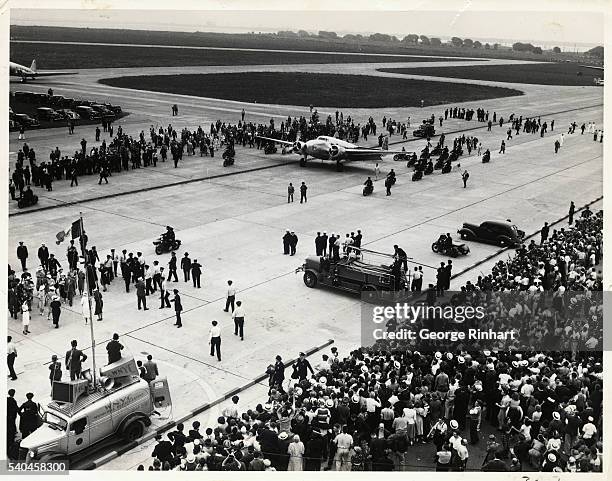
(57, 56)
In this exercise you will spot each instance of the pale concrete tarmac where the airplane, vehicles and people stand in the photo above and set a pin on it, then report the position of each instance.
(233, 225)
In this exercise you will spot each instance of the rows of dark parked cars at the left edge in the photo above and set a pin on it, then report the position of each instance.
(58, 108)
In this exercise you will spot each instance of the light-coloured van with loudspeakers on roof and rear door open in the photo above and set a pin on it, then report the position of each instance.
(122, 406)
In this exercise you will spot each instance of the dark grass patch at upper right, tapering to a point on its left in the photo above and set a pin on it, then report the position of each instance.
(544, 74)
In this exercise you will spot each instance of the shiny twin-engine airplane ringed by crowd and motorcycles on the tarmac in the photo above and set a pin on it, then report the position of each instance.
(336, 150)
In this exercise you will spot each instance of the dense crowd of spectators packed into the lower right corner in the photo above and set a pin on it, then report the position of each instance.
(541, 408)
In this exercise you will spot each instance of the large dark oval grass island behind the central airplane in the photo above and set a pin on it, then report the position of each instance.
(322, 90)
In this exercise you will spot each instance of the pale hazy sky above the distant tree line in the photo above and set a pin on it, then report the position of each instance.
(539, 21)
